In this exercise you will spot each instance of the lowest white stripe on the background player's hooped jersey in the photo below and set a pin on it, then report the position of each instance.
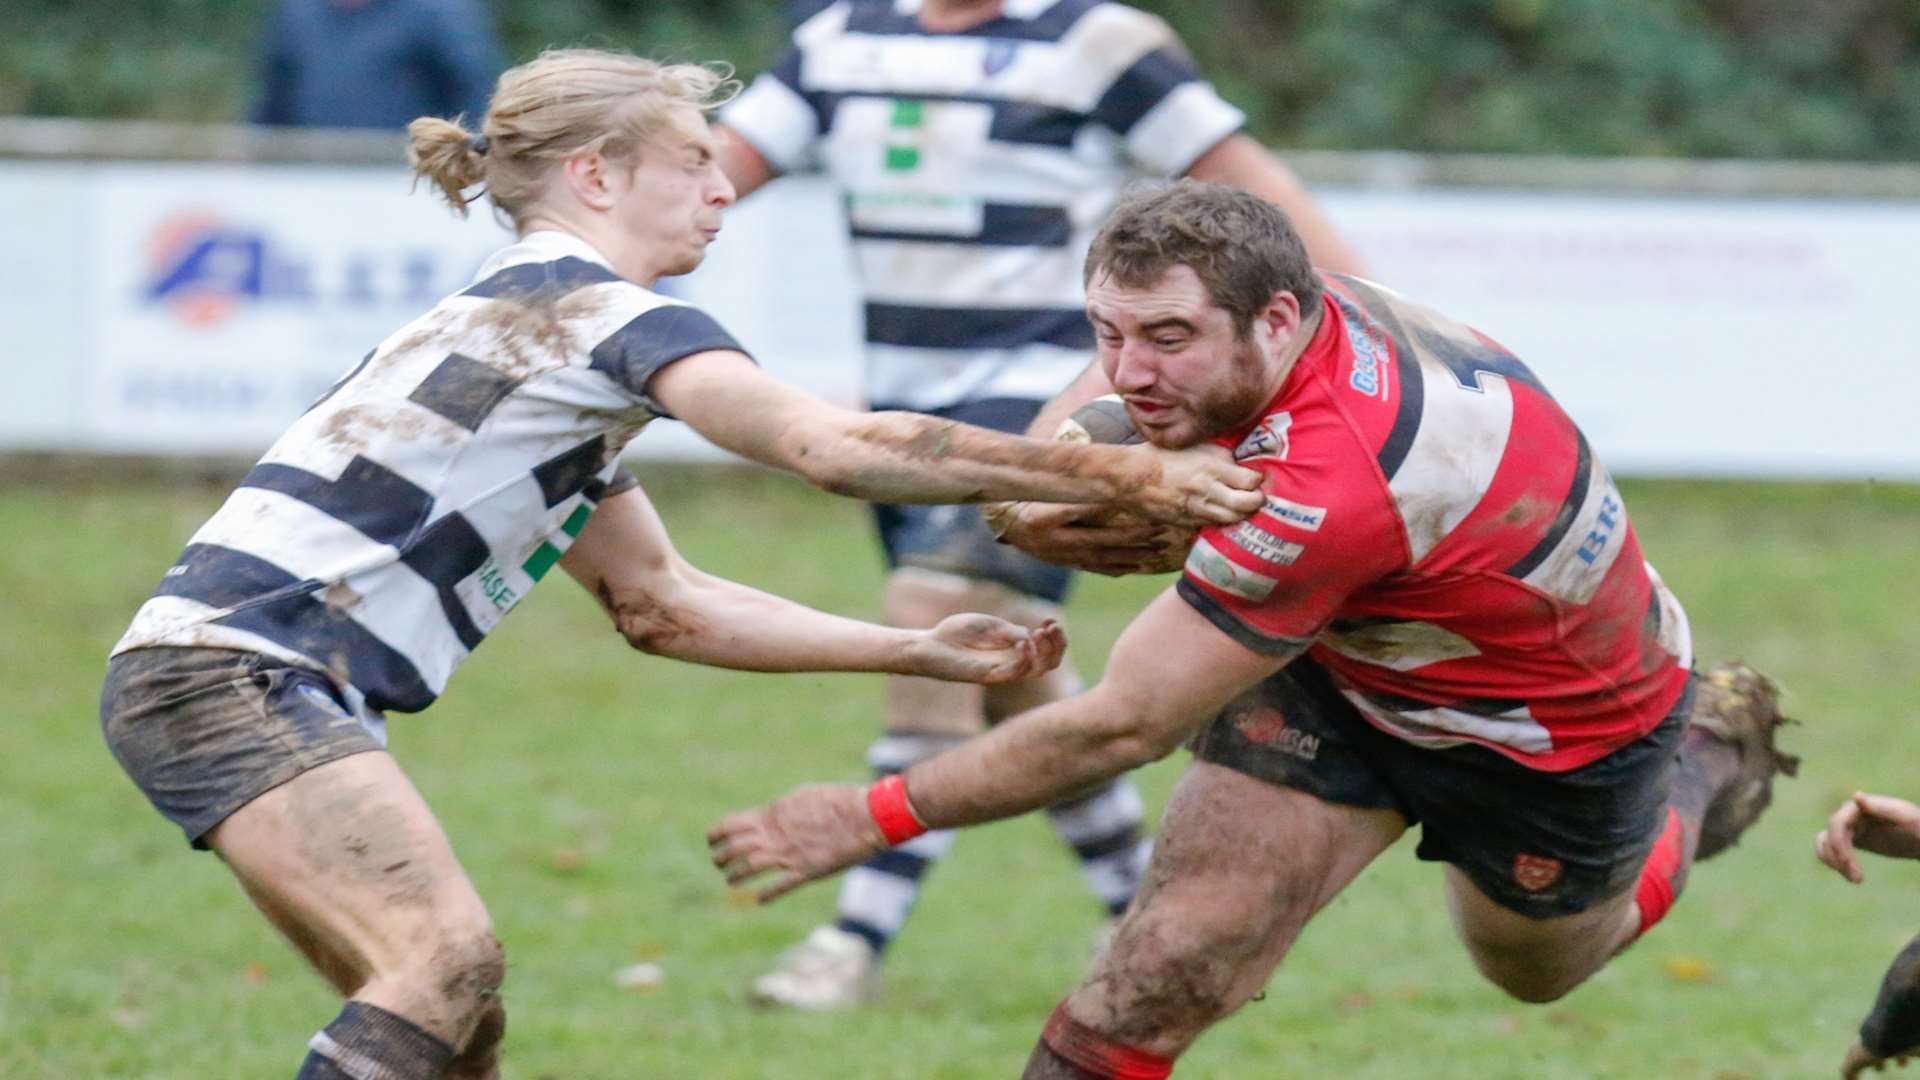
(934, 380)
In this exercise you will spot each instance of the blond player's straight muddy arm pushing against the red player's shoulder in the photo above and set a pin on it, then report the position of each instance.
(926, 460)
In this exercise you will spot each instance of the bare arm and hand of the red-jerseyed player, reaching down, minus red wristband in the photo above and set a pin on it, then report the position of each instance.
(1170, 674)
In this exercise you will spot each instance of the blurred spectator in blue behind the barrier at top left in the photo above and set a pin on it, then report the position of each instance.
(377, 62)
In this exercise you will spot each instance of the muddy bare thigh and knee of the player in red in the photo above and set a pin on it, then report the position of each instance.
(1237, 871)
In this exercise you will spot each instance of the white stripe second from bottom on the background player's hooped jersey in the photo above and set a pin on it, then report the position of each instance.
(961, 276)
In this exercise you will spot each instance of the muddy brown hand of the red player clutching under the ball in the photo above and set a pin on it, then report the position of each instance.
(1092, 539)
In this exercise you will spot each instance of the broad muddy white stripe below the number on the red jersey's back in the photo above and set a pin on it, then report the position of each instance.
(1454, 456)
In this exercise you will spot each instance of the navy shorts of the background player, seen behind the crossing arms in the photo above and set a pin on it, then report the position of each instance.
(955, 539)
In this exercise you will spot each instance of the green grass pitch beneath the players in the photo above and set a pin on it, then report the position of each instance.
(579, 777)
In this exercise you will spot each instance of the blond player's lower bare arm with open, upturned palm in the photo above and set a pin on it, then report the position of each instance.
(665, 606)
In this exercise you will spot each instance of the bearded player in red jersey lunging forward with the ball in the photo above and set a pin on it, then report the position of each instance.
(1443, 618)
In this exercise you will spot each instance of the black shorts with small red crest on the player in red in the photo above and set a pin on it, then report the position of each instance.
(1535, 843)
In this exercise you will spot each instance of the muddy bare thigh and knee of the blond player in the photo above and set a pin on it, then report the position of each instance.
(352, 868)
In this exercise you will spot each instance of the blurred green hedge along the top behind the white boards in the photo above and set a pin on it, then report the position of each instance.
(1833, 80)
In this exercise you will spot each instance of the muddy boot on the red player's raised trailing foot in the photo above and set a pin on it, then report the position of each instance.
(1740, 708)
